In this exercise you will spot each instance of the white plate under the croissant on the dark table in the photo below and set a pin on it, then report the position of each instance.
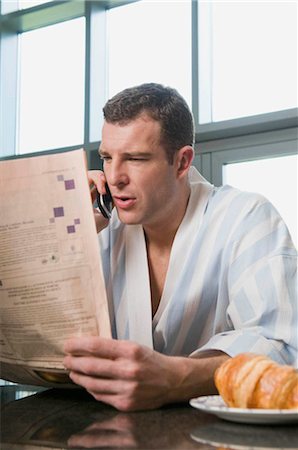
(214, 404)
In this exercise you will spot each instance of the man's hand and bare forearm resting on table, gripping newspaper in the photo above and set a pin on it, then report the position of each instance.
(131, 377)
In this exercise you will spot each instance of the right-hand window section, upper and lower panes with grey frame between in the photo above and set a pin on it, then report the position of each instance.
(247, 98)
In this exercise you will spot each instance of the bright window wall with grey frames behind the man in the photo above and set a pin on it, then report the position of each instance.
(234, 62)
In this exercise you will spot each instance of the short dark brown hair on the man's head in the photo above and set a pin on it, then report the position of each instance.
(163, 104)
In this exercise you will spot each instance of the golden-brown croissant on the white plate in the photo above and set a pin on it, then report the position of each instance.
(255, 381)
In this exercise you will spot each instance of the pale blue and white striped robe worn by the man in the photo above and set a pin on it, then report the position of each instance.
(230, 283)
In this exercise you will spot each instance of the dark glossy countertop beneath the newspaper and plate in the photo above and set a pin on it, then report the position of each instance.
(32, 418)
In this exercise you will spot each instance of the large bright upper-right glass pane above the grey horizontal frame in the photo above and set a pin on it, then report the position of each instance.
(254, 58)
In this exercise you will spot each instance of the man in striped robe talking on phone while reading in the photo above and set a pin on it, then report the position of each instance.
(194, 274)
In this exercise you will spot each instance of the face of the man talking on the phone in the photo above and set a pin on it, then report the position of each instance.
(141, 180)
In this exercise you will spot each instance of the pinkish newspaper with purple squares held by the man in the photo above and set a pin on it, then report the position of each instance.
(51, 280)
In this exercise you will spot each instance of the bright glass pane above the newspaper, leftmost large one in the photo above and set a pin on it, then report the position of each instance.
(52, 73)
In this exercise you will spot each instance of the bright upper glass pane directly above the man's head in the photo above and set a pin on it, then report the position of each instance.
(150, 42)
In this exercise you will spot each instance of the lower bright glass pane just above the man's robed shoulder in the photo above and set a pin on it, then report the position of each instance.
(275, 178)
